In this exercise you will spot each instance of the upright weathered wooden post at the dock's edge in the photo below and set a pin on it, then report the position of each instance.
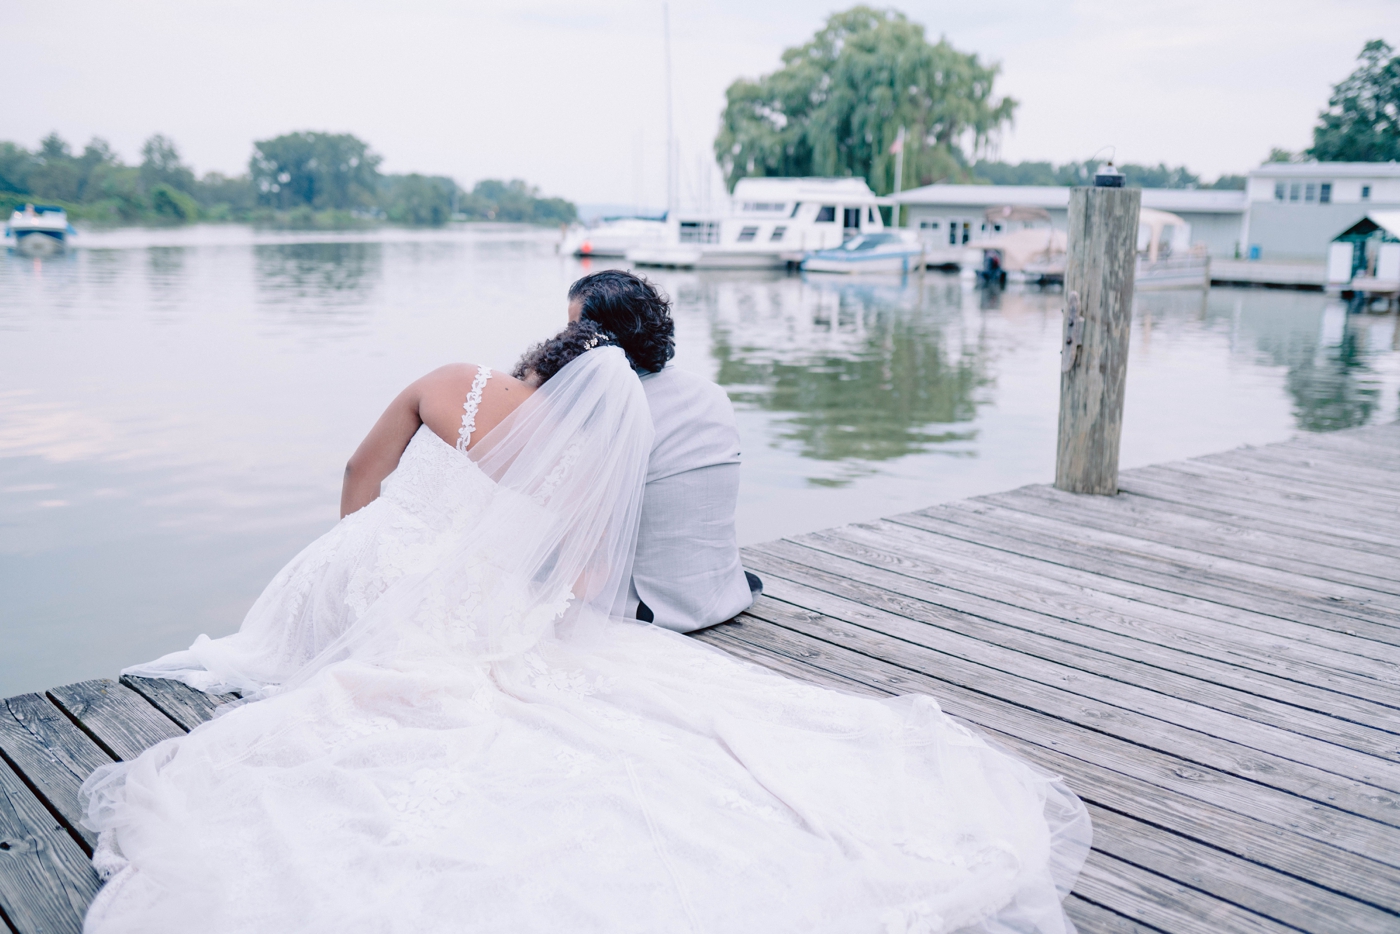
(1098, 289)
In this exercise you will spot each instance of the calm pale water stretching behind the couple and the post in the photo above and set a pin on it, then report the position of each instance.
(177, 407)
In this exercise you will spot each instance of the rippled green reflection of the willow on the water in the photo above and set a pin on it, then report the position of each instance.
(860, 373)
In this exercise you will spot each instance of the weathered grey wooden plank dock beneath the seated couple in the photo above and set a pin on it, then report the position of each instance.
(1210, 659)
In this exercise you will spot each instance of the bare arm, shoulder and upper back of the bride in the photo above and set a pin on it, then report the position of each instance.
(435, 401)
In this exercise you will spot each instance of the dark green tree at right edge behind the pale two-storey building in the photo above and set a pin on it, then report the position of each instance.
(1363, 118)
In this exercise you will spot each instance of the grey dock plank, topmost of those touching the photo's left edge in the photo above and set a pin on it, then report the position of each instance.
(54, 757)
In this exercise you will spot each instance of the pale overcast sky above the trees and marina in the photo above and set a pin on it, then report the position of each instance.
(572, 96)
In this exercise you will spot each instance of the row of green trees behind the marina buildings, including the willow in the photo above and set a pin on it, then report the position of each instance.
(839, 103)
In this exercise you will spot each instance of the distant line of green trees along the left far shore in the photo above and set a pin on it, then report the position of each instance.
(296, 180)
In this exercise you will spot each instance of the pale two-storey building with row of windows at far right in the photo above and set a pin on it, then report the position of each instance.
(1297, 208)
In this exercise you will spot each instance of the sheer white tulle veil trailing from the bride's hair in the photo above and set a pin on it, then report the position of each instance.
(555, 545)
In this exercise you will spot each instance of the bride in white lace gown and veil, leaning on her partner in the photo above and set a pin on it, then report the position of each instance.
(449, 726)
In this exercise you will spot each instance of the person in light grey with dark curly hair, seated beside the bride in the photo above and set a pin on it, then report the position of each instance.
(687, 575)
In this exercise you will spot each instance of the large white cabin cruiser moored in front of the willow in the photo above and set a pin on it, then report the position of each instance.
(772, 223)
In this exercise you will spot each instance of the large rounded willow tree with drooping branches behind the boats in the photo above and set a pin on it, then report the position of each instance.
(838, 104)
